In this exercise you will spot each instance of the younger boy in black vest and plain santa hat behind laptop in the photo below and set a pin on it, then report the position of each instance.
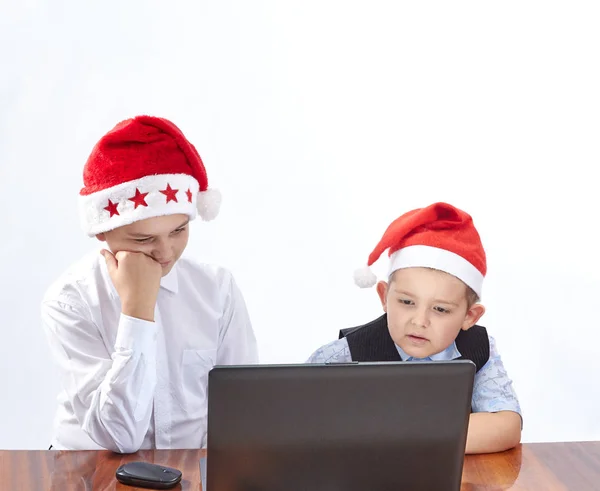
(431, 305)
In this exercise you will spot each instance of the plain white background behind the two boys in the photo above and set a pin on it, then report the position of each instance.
(320, 121)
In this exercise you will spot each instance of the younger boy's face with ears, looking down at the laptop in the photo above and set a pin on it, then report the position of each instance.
(426, 310)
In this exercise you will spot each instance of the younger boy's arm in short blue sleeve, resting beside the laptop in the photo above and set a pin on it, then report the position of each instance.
(495, 424)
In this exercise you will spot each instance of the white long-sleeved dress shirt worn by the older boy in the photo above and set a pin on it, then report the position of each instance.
(129, 383)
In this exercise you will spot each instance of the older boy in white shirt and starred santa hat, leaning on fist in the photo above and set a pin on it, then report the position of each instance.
(135, 328)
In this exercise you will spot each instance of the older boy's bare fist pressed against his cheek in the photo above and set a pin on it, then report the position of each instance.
(136, 277)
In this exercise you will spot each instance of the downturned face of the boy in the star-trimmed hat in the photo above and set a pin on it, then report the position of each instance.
(162, 238)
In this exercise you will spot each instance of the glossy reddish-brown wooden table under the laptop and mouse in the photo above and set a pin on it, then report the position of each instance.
(540, 466)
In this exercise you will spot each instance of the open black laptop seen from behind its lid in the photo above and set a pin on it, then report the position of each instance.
(338, 427)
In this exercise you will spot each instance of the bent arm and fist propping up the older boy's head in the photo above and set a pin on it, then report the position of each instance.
(111, 395)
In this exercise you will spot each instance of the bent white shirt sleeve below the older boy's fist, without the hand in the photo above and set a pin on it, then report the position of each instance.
(111, 396)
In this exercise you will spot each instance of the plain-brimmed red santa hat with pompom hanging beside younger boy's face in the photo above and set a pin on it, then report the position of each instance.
(439, 236)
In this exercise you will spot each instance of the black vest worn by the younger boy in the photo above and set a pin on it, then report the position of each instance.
(372, 342)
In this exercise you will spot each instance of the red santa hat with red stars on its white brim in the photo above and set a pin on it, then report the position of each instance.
(144, 167)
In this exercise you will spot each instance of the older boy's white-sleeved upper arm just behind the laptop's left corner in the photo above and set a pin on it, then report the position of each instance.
(237, 342)
